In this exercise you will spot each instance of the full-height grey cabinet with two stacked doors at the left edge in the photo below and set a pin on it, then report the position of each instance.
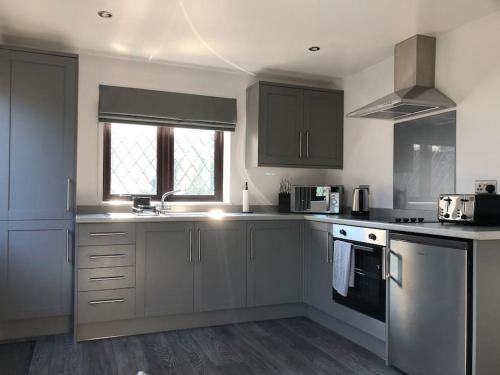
(37, 182)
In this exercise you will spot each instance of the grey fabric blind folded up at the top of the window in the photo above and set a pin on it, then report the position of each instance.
(148, 107)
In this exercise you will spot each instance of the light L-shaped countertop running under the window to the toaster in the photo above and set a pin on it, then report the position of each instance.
(436, 229)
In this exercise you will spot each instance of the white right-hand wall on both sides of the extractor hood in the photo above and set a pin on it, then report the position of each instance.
(467, 70)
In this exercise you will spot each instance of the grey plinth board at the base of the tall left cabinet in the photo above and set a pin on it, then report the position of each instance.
(16, 329)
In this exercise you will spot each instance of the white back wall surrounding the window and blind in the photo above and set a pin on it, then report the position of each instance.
(95, 70)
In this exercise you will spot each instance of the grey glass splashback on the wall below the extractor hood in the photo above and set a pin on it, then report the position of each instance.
(424, 160)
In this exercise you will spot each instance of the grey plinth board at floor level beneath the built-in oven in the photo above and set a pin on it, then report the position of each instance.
(353, 334)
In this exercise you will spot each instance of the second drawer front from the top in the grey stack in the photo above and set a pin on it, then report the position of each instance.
(106, 256)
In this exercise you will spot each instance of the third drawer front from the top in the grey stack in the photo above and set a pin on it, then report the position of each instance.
(106, 278)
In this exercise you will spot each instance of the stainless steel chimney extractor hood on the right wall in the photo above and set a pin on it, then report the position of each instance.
(414, 91)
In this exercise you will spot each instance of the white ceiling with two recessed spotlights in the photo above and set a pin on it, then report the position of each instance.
(258, 36)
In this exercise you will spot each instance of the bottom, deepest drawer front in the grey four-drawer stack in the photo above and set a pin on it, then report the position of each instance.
(106, 305)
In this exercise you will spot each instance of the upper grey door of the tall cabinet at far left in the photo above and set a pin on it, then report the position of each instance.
(42, 125)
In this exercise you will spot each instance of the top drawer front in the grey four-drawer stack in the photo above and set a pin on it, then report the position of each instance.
(106, 234)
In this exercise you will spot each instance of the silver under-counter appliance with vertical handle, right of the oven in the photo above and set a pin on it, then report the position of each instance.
(429, 309)
